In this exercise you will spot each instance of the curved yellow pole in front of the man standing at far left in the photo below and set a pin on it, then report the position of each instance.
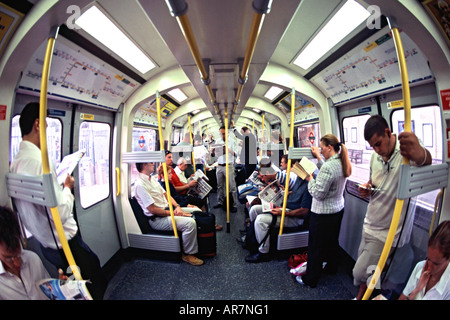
(44, 151)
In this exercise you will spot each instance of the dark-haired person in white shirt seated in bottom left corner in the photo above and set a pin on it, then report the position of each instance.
(19, 269)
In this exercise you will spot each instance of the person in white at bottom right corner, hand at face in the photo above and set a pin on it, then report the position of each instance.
(430, 279)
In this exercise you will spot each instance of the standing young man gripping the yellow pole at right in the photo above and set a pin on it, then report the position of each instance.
(384, 173)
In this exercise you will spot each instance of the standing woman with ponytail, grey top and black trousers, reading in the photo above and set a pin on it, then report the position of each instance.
(327, 208)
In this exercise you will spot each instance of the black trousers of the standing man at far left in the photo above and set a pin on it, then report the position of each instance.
(86, 260)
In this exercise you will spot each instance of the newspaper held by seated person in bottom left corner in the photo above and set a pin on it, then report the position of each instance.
(56, 289)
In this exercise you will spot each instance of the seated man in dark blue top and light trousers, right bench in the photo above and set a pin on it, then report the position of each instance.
(298, 202)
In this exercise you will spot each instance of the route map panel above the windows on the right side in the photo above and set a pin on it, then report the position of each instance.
(371, 67)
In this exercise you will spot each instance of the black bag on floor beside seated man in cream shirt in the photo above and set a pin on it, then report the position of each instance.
(206, 233)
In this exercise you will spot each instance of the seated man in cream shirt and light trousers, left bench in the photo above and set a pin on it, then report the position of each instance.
(153, 200)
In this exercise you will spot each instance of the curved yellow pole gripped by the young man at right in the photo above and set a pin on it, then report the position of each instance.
(399, 203)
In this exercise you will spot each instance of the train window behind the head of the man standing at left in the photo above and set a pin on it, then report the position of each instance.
(54, 138)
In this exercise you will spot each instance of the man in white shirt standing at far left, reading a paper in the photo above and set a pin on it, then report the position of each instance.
(36, 218)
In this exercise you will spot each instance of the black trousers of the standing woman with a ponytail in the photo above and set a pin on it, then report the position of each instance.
(323, 245)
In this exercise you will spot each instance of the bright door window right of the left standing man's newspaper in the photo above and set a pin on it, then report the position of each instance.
(94, 167)
